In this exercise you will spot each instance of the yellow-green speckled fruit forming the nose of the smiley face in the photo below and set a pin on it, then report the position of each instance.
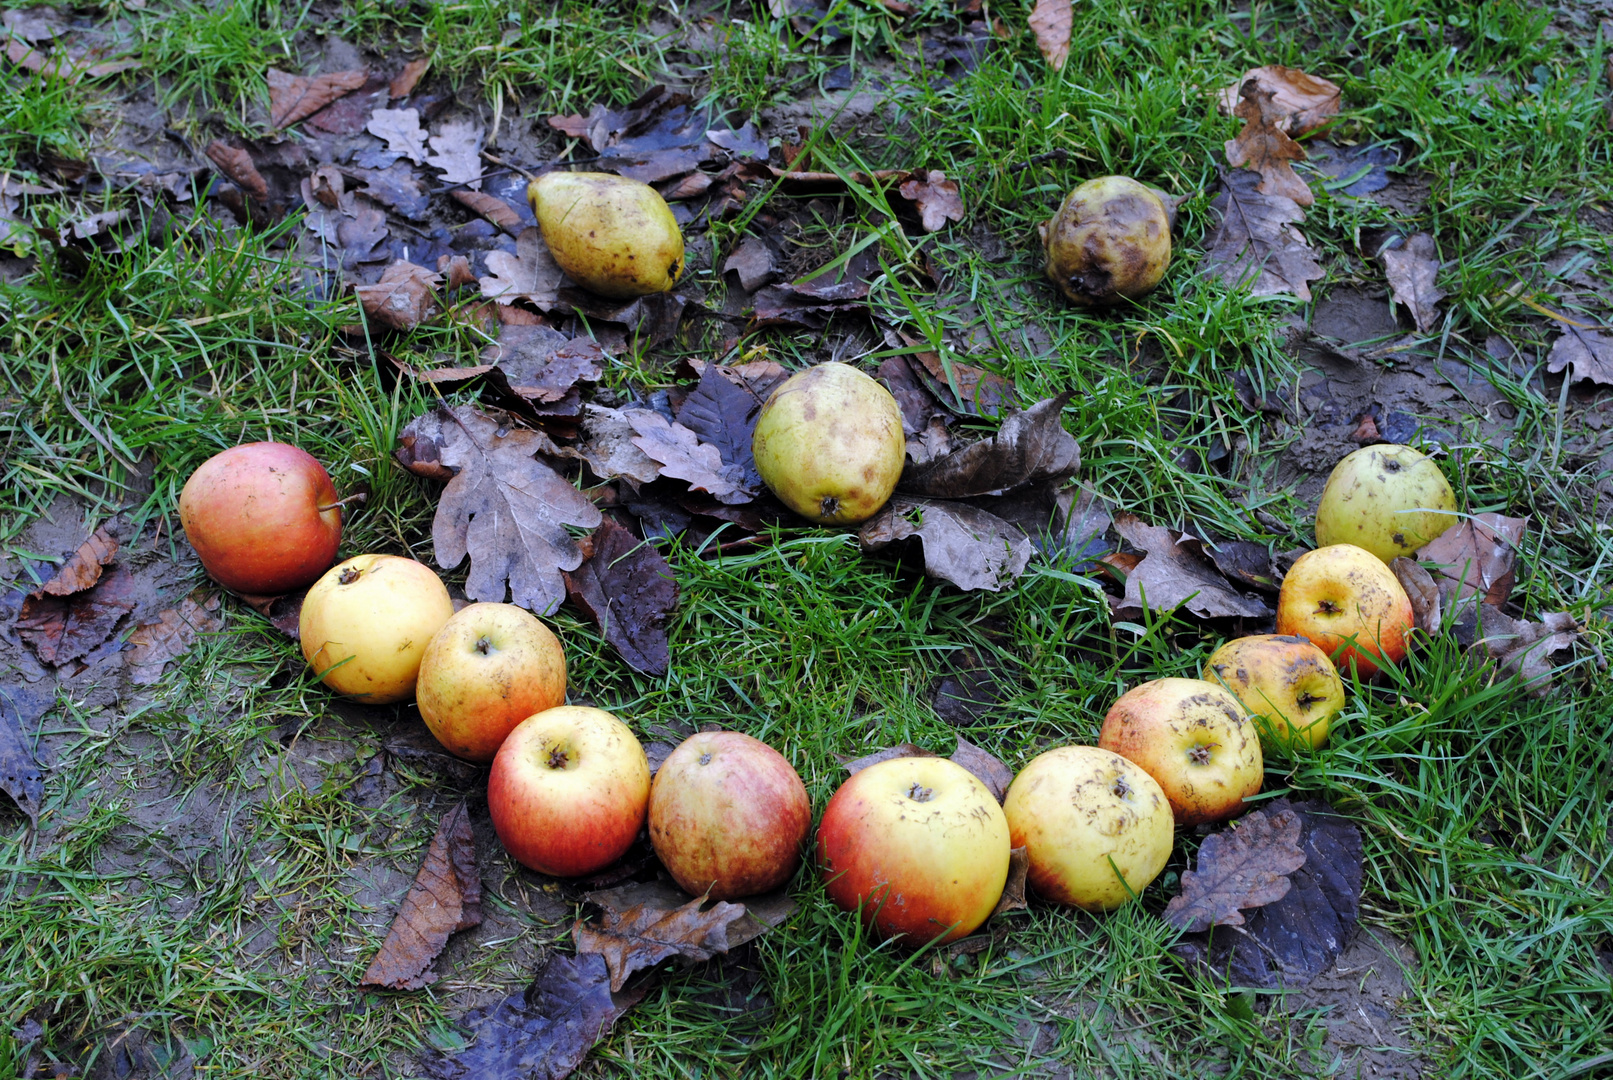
(830, 444)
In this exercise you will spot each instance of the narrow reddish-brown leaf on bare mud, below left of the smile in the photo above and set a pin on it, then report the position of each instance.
(446, 899)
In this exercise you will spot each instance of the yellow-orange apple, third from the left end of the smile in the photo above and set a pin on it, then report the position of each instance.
(490, 668)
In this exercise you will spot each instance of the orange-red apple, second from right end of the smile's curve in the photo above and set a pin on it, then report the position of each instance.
(1349, 604)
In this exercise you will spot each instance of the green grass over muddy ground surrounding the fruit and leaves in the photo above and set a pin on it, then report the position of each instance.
(209, 870)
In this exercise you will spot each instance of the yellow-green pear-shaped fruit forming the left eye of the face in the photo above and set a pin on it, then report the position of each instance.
(611, 235)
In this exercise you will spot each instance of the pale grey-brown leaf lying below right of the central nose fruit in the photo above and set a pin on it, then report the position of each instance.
(965, 546)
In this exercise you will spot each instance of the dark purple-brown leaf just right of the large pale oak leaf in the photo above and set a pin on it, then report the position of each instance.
(628, 591)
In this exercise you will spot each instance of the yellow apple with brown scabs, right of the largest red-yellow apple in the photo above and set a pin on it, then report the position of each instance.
(1096, 828)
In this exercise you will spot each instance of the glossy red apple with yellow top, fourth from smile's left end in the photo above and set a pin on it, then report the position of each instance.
(569, 791)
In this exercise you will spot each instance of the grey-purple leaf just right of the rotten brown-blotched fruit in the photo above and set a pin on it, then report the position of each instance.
(1254, 244)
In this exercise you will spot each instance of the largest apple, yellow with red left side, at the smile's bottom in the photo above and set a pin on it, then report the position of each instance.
(919, 845)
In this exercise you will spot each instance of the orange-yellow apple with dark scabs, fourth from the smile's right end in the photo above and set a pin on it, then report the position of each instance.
(1194, 739)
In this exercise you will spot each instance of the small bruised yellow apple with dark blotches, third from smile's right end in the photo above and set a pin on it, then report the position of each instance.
(1286, 683)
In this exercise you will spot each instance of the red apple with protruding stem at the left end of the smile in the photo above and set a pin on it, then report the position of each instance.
(264, 518)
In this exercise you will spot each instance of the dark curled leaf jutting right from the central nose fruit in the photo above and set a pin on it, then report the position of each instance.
(1032, 447)
